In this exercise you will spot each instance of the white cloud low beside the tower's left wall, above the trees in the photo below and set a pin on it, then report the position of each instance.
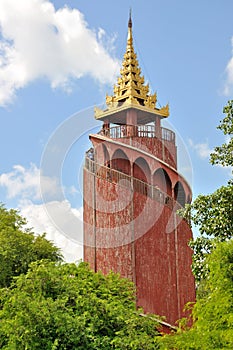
(61, 222)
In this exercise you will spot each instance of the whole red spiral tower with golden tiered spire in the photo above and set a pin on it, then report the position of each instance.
(132, 191)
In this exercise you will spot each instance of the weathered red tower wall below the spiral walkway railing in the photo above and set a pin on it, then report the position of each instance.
(139, 238)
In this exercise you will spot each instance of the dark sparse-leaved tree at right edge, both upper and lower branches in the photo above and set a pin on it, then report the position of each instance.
(213, 213)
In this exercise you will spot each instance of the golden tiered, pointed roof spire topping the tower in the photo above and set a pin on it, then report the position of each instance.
(130, 90)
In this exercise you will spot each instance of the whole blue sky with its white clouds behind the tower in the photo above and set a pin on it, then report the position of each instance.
(58, 59)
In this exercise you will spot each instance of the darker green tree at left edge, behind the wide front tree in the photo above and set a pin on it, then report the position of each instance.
(20, 246)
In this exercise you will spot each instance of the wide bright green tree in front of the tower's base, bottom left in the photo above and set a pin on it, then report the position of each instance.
(65, 306)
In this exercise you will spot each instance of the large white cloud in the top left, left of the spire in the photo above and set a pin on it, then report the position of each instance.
(38, 41)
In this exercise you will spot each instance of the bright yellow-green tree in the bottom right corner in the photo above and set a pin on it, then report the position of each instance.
(213, 311)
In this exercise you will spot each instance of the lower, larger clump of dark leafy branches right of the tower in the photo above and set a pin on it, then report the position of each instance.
(213, 215)
